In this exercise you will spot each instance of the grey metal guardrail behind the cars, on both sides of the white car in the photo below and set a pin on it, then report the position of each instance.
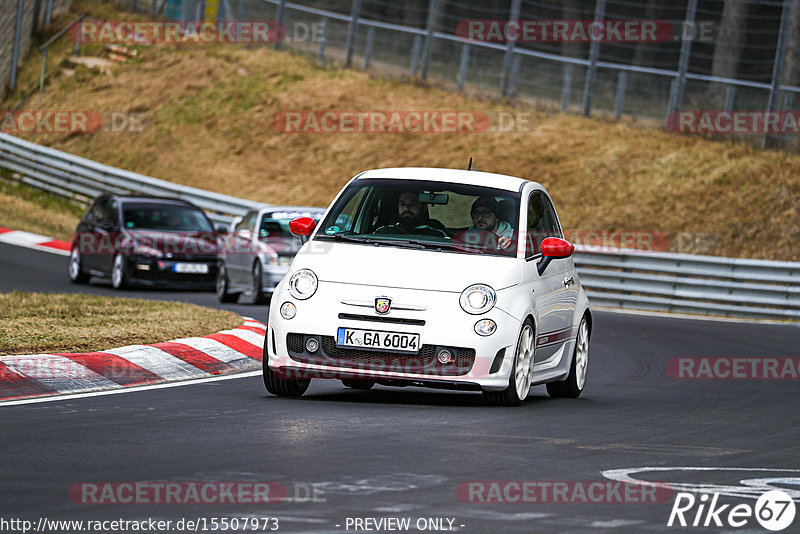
(625, 279)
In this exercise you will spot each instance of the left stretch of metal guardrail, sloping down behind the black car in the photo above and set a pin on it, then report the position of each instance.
(83, 179)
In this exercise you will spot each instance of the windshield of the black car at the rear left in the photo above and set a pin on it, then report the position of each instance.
(165, 217)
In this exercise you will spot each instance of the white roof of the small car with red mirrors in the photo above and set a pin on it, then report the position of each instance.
(461, 176)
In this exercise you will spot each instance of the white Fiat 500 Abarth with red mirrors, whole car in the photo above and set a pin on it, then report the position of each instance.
(432, 277)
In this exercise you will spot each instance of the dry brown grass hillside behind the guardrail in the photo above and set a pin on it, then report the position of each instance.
(209, 123)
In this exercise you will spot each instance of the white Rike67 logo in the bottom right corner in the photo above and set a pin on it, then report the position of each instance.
(774, 510)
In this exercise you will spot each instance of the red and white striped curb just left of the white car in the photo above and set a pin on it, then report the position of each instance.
(36, 375)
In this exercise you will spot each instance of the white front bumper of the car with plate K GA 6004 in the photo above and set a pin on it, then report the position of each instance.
(479, 362)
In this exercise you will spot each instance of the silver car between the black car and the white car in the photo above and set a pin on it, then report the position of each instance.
(257, 251)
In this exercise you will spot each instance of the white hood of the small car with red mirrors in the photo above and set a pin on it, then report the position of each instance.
(405, 268)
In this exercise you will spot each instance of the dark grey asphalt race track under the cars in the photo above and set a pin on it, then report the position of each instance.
(409, 453)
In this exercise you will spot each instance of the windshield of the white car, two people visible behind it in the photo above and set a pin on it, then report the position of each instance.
(435, 215)
